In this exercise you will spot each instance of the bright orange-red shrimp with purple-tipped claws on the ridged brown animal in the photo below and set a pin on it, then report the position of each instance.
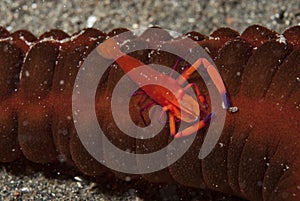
(189, 111)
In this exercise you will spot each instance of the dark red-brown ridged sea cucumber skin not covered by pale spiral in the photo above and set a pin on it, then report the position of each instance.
(257, 156)
